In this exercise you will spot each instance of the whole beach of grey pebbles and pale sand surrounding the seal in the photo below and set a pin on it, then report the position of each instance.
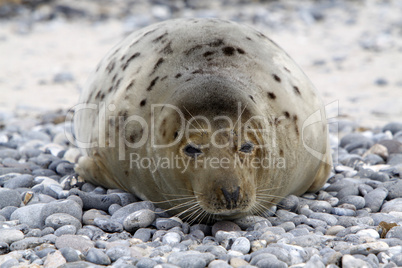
(49, 217)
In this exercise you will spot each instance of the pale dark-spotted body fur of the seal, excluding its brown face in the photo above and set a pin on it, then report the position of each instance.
(154, 65)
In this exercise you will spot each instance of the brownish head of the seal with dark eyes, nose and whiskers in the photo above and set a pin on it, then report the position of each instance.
(217, 142)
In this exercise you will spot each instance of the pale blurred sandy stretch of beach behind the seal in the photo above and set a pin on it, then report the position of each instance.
(352, 51)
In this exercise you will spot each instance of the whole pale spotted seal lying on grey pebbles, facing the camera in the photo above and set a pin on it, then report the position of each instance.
(207, 118)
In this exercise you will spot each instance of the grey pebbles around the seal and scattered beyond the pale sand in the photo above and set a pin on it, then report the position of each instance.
(48, 217)
